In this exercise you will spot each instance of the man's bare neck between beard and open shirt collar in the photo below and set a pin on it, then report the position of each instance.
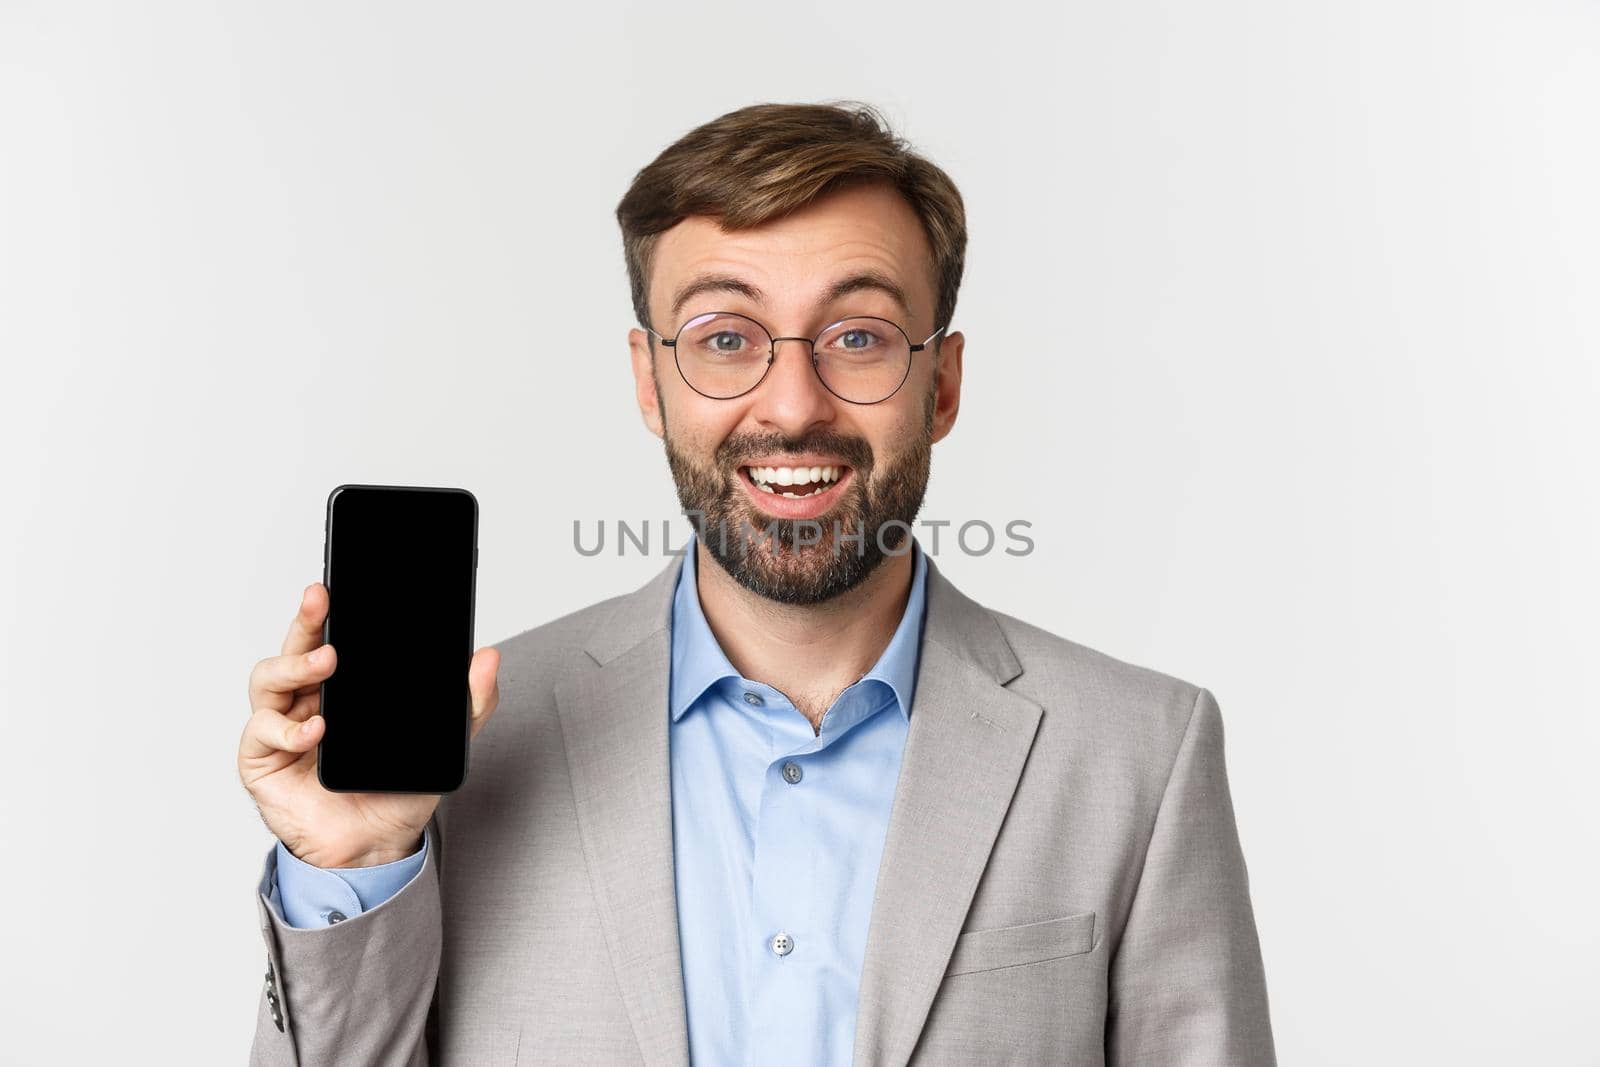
(810, 653)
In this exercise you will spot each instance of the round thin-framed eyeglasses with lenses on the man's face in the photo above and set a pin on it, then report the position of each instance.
(862, 361)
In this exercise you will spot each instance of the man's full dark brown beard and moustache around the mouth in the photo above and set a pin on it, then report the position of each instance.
(804, 561)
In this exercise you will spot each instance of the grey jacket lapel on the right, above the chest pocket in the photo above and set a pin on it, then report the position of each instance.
(966, 749)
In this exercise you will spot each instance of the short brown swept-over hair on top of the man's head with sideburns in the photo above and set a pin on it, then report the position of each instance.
(764, 161)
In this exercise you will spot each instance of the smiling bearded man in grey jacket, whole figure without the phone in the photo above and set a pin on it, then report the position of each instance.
(798, 801)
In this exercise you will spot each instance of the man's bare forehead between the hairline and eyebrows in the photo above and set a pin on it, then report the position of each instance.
(798, 258)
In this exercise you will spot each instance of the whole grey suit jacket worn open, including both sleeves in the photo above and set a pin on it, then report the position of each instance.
(1062, 881)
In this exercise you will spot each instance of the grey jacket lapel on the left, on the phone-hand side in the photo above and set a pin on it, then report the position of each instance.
(615, 727)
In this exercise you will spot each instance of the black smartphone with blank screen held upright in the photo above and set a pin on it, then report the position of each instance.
(401, 567)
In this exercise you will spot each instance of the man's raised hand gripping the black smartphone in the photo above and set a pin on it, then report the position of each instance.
(278, 759)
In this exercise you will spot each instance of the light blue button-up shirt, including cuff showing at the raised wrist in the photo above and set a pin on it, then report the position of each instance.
(777, 836)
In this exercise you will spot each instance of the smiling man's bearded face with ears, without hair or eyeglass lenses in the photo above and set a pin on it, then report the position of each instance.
(719, 449)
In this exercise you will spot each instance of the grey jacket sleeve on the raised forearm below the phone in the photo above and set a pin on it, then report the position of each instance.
(359, 991)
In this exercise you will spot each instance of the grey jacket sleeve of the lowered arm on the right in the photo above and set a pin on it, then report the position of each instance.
(1188, 983)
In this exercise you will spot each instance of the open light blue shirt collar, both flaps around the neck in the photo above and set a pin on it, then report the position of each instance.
(698, 661)
